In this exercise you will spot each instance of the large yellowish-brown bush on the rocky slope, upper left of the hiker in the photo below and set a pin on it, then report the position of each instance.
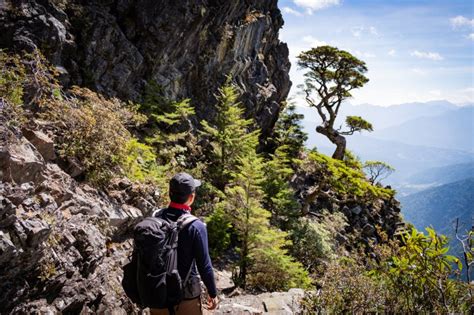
(92, 130)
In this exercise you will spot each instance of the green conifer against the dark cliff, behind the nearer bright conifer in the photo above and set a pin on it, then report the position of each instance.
(229, 136)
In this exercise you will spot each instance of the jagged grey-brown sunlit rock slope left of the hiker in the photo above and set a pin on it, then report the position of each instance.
(61, 242)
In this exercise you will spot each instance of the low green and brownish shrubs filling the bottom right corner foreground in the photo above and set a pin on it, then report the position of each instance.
(413, 277)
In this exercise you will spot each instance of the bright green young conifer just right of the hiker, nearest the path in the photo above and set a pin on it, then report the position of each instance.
(264, 262)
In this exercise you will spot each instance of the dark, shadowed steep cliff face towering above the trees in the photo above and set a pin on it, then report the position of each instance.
(187, 47)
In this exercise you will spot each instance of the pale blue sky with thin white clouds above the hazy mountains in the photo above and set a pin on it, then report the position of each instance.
(416, 51)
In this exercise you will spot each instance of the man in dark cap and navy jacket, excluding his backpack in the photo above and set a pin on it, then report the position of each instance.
(193, 251)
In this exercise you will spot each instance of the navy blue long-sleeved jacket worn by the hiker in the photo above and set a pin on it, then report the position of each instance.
(193, 246)
